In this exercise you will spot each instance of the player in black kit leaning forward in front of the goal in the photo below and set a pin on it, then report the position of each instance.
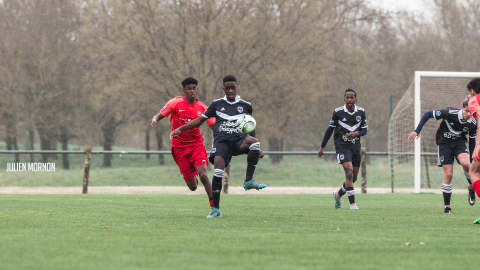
(452, 143)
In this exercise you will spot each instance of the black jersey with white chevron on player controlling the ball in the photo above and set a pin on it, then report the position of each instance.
(226, 114)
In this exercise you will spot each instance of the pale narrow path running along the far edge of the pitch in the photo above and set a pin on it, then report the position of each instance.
(200, 190)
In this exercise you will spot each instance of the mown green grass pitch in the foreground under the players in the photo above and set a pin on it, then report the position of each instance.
(255, 232)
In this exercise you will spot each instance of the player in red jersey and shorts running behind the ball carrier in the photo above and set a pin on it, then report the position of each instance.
(188, 150)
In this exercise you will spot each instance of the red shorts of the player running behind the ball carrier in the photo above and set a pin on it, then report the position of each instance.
(188, 158)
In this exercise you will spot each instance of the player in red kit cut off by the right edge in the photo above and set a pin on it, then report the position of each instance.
(474, 106)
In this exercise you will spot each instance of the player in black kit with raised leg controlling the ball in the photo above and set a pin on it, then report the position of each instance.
(228, 141)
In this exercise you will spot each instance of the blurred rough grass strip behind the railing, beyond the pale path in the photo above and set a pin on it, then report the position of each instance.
(137, 170)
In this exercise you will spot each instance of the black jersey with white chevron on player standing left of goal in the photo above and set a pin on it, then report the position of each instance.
(345, 122)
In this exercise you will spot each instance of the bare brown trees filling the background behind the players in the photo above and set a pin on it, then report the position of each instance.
(83, 71)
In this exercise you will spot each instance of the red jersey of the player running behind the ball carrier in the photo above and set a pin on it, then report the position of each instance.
(181, 113)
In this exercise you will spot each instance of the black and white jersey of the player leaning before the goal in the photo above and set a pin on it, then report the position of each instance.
(452, 129)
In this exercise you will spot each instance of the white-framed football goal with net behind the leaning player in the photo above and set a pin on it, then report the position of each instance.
(414, 164)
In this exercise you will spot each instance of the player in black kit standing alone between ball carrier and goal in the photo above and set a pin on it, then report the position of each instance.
(349, 123)
